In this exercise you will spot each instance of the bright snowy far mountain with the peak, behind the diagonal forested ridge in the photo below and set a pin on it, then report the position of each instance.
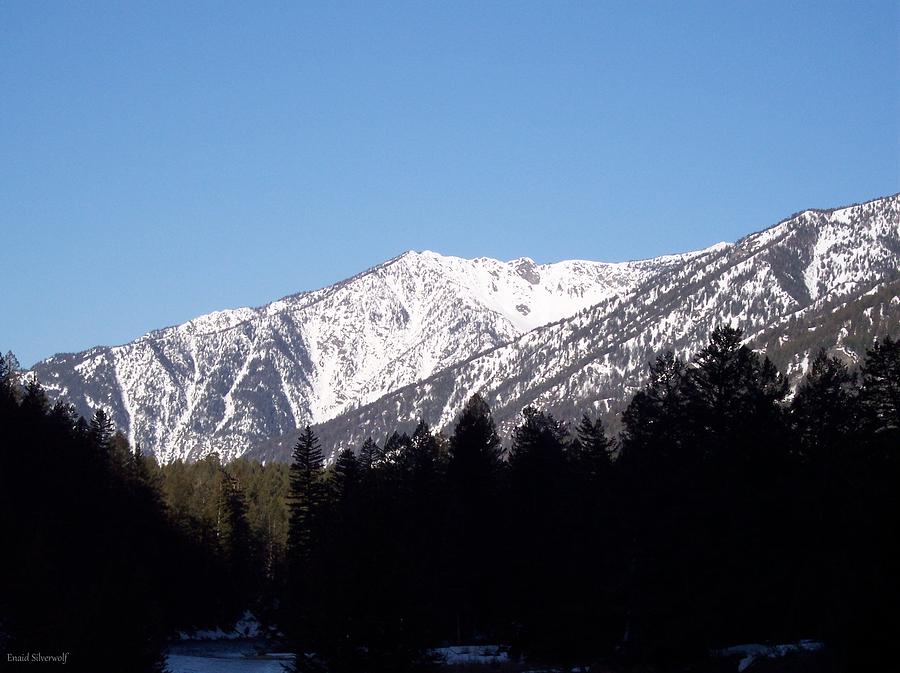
(230, 379)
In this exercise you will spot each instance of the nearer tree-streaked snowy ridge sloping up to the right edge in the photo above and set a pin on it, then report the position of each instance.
(822, 278)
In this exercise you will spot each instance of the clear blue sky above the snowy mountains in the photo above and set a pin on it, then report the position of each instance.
(160, 160)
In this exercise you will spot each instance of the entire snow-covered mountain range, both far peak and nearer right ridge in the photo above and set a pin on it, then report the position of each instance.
(416, 336)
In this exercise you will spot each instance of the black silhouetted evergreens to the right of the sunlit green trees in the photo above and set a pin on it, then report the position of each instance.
(725, 512)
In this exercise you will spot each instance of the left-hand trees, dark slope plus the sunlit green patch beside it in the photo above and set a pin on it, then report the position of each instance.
(105, 555)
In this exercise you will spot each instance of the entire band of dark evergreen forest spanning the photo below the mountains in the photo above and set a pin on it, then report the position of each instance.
(726, 511)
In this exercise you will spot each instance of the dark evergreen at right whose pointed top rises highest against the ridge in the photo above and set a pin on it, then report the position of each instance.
(741, 486)
